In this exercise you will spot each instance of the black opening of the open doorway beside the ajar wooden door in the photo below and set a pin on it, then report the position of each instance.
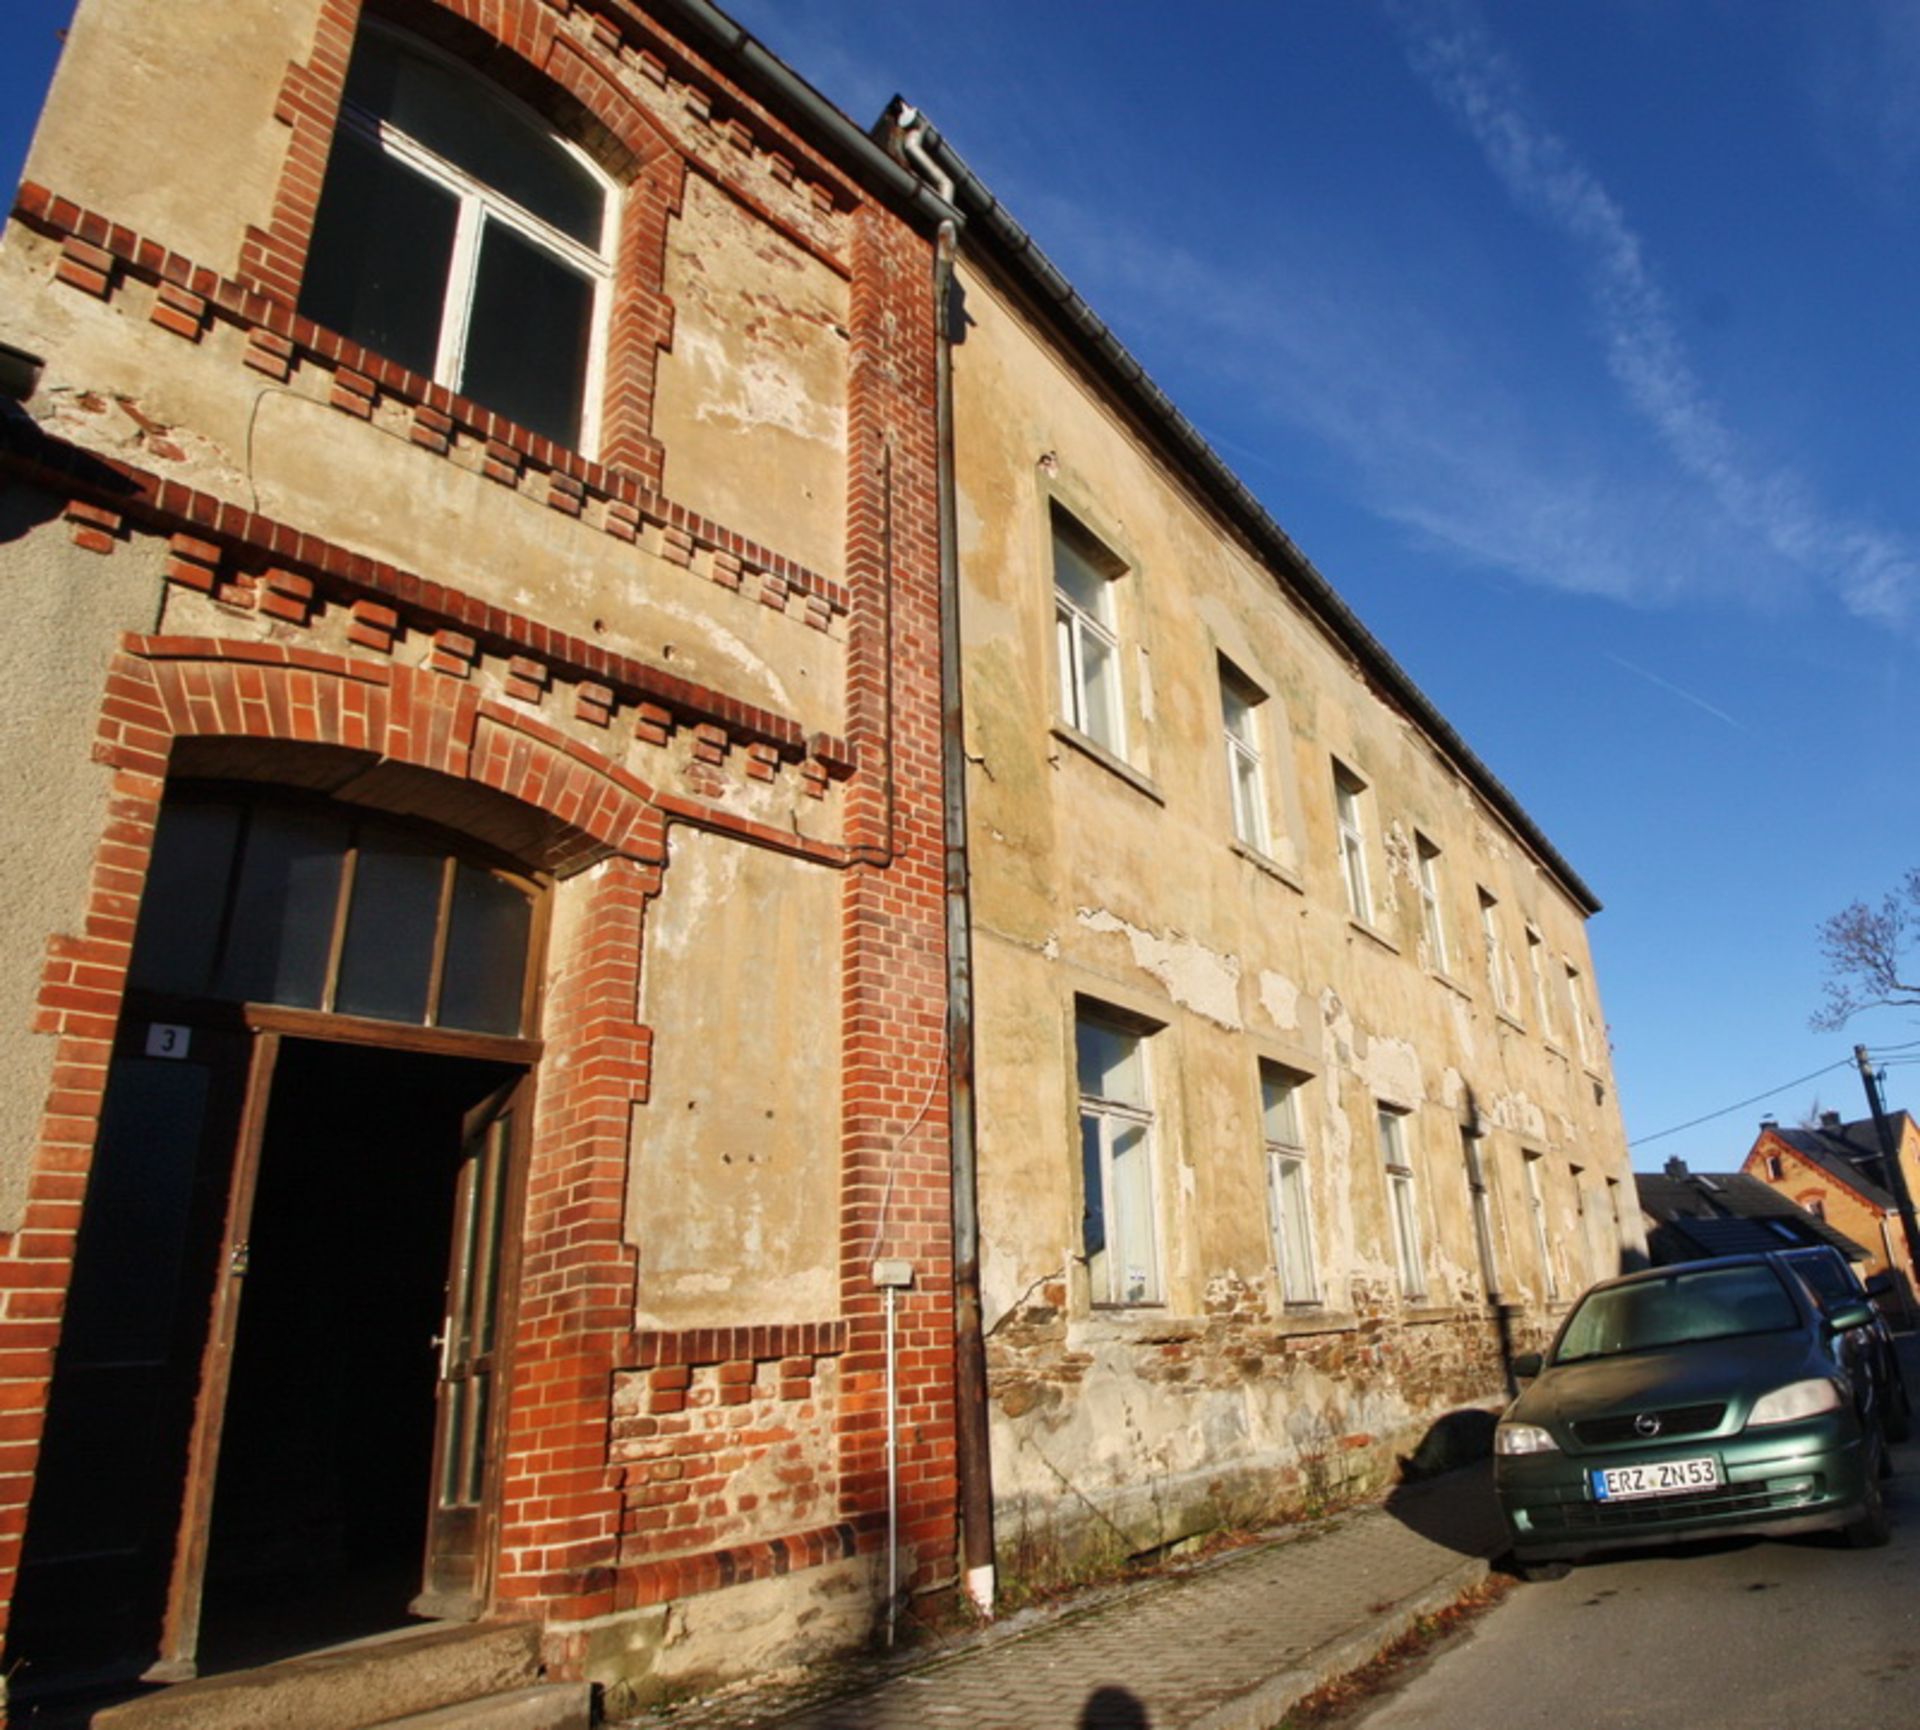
(325, 1466)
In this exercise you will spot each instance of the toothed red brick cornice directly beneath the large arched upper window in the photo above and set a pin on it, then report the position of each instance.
(277, 341)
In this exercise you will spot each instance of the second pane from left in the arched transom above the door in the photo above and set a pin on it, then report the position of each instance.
(283, 919)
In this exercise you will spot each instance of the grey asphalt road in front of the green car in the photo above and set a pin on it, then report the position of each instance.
(1750, 1633)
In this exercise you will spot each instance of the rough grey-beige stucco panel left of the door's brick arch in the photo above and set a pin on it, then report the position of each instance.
(64, 615)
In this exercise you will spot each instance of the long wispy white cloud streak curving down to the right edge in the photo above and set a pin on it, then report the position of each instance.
(1472, 76)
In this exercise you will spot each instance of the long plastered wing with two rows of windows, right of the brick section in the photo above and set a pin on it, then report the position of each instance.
(1295, 1107)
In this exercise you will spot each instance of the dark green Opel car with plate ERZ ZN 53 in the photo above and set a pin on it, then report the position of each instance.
(1692, 1403)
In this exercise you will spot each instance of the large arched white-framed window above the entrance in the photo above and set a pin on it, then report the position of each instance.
(464, 239)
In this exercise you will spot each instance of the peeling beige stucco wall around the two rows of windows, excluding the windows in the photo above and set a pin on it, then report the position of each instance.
(1122, 882)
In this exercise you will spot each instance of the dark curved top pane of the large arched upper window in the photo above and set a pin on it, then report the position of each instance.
(456, 116)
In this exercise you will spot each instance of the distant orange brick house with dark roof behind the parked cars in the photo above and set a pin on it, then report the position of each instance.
(1835, 1172)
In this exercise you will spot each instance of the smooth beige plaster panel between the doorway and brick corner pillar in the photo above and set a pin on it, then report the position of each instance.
(736, 1155)
